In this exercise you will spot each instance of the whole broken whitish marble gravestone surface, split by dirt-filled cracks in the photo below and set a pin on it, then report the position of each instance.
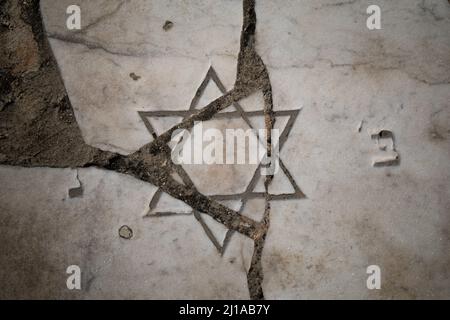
(368, 117)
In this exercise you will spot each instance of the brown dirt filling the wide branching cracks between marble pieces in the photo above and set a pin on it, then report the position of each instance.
(44, 120)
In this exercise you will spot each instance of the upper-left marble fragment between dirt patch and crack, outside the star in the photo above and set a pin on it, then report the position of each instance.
(121, 37)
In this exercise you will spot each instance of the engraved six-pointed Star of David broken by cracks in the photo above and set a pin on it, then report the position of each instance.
(249, 192)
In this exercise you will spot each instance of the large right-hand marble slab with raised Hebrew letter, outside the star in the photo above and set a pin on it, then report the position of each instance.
(321, 57)
